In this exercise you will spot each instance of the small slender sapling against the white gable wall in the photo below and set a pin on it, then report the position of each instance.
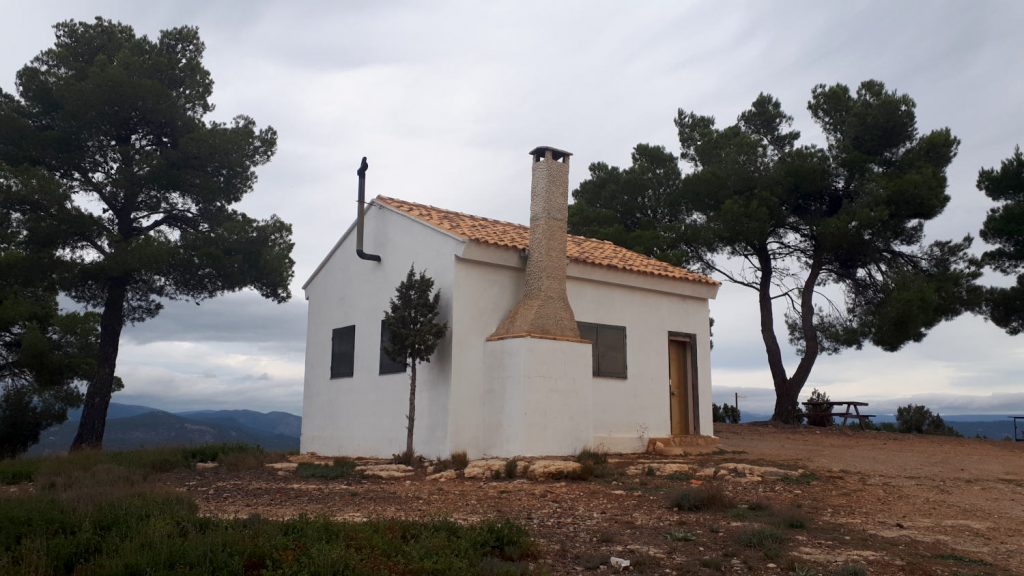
(412, 321)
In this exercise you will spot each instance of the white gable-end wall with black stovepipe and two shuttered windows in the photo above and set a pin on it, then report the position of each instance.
(366, 415)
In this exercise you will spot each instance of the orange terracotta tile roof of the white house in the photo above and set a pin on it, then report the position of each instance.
(497, 233)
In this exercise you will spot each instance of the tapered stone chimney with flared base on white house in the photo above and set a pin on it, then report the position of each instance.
(544, 310)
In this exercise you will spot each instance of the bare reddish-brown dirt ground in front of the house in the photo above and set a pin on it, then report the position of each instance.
(892, 504)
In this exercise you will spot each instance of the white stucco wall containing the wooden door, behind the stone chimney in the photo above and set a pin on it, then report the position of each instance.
(625, 412)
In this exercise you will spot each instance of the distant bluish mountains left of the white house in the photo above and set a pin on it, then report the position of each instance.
(131, 427)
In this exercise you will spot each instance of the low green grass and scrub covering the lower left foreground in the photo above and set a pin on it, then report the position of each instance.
(99, 513)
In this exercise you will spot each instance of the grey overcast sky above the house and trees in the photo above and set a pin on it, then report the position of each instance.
(446, 99)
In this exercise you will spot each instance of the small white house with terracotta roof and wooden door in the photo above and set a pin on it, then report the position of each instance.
(646, 376)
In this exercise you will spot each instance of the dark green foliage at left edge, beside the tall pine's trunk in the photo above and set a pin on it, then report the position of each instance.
(44, 353)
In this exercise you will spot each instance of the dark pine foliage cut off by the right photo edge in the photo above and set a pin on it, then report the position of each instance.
(1004, 229)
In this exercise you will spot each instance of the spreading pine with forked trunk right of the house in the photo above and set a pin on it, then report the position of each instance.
(836, 233)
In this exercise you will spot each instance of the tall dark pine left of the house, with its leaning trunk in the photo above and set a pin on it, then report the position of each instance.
(146, 184)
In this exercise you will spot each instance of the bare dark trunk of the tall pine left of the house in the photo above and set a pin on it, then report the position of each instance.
(98, 398)
